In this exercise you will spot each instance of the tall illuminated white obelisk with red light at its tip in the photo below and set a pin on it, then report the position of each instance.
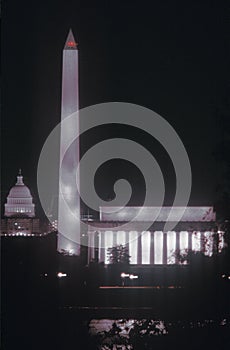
(69, 198)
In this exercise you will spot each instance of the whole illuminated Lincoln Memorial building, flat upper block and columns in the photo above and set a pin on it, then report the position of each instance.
(196, 231)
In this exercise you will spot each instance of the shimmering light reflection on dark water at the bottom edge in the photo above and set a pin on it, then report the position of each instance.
(129, 334)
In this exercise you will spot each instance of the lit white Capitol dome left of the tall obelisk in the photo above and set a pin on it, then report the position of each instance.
(19, 200)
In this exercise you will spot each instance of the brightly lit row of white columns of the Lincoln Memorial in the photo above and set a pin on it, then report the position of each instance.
(151, 247)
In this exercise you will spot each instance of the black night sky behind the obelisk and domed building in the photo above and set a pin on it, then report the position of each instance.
(169, 56)
